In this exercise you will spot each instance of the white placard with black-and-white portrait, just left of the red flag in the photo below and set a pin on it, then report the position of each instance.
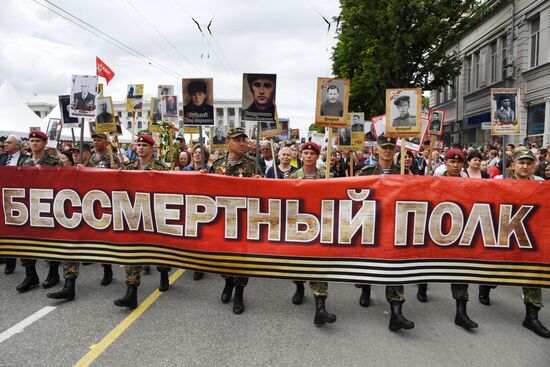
(83, 96)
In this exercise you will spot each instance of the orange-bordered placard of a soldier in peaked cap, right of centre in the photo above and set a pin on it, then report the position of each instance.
(404, 112)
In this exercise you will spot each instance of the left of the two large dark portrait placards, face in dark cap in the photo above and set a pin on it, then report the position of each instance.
(198, 99)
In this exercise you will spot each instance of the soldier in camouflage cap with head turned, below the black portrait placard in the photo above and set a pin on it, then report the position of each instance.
(235, 163)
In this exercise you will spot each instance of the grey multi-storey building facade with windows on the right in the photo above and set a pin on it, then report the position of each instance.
(508, 49)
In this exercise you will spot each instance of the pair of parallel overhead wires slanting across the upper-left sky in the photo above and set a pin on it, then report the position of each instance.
(107, 38)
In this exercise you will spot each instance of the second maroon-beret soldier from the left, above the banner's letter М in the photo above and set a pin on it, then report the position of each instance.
(145, 162)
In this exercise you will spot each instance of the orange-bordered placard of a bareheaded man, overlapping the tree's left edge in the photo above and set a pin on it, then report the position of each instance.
(332, 102)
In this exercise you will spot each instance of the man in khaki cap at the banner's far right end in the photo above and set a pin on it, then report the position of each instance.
(524, 165)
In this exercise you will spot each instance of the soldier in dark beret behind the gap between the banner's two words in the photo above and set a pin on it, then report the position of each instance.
(395, 294)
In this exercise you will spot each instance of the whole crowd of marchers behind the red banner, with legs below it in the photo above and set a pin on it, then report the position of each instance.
(282, 160)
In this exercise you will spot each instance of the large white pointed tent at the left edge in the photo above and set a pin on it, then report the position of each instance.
(15, 116)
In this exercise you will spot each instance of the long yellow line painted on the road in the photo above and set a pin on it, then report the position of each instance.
(97, 349)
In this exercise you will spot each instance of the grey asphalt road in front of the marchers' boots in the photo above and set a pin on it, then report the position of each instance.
(189, 326)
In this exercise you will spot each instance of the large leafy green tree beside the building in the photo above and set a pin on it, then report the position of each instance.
(399, 44)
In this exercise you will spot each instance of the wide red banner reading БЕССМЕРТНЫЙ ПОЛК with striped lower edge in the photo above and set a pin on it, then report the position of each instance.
(373, 229)
